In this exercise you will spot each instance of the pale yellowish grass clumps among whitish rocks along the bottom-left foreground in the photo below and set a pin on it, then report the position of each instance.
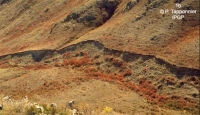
(22, 107)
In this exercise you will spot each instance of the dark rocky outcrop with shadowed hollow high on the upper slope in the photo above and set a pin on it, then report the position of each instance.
(94, 13)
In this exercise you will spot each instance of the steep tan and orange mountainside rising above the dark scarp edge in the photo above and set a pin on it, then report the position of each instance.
(27, 24)
